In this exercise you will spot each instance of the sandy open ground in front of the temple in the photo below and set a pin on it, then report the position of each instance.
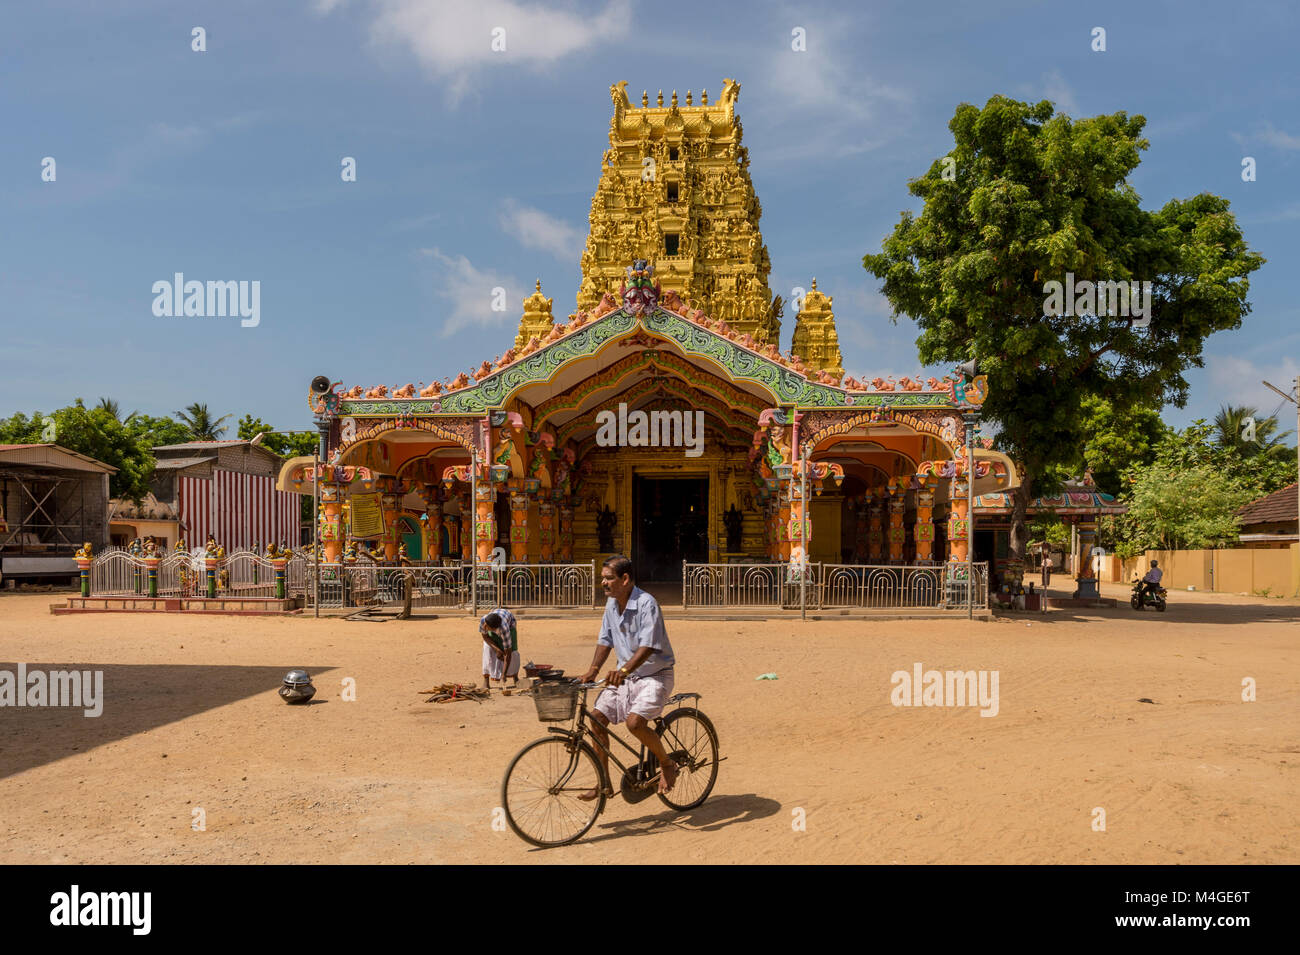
(192, 720)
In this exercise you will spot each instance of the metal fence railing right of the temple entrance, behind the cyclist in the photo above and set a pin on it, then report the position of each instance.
(835, 587)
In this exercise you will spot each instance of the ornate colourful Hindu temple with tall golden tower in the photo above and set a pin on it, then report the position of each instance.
(658, 420)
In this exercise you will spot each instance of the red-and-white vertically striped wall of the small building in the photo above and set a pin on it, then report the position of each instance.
(237, 510)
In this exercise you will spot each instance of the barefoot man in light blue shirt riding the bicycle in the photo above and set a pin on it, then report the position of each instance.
(640, 688)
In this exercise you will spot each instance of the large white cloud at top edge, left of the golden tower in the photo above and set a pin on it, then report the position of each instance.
(454, 38)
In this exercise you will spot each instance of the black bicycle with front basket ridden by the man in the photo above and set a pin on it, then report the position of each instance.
(545, 784)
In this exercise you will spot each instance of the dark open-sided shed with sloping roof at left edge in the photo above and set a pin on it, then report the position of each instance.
(53, 501)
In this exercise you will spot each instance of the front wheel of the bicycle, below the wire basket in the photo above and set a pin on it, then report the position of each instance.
(543, 787)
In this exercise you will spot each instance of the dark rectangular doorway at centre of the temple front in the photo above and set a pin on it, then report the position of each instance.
(670, 524)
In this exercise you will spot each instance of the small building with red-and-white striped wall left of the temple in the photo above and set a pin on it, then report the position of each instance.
(220, 488)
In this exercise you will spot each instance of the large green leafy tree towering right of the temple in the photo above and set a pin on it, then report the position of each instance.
(1026, 197)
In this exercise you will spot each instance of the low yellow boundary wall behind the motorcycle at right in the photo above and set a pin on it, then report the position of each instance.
(1229, 571)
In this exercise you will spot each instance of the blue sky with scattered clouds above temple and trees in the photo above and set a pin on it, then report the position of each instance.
(476, 170)
